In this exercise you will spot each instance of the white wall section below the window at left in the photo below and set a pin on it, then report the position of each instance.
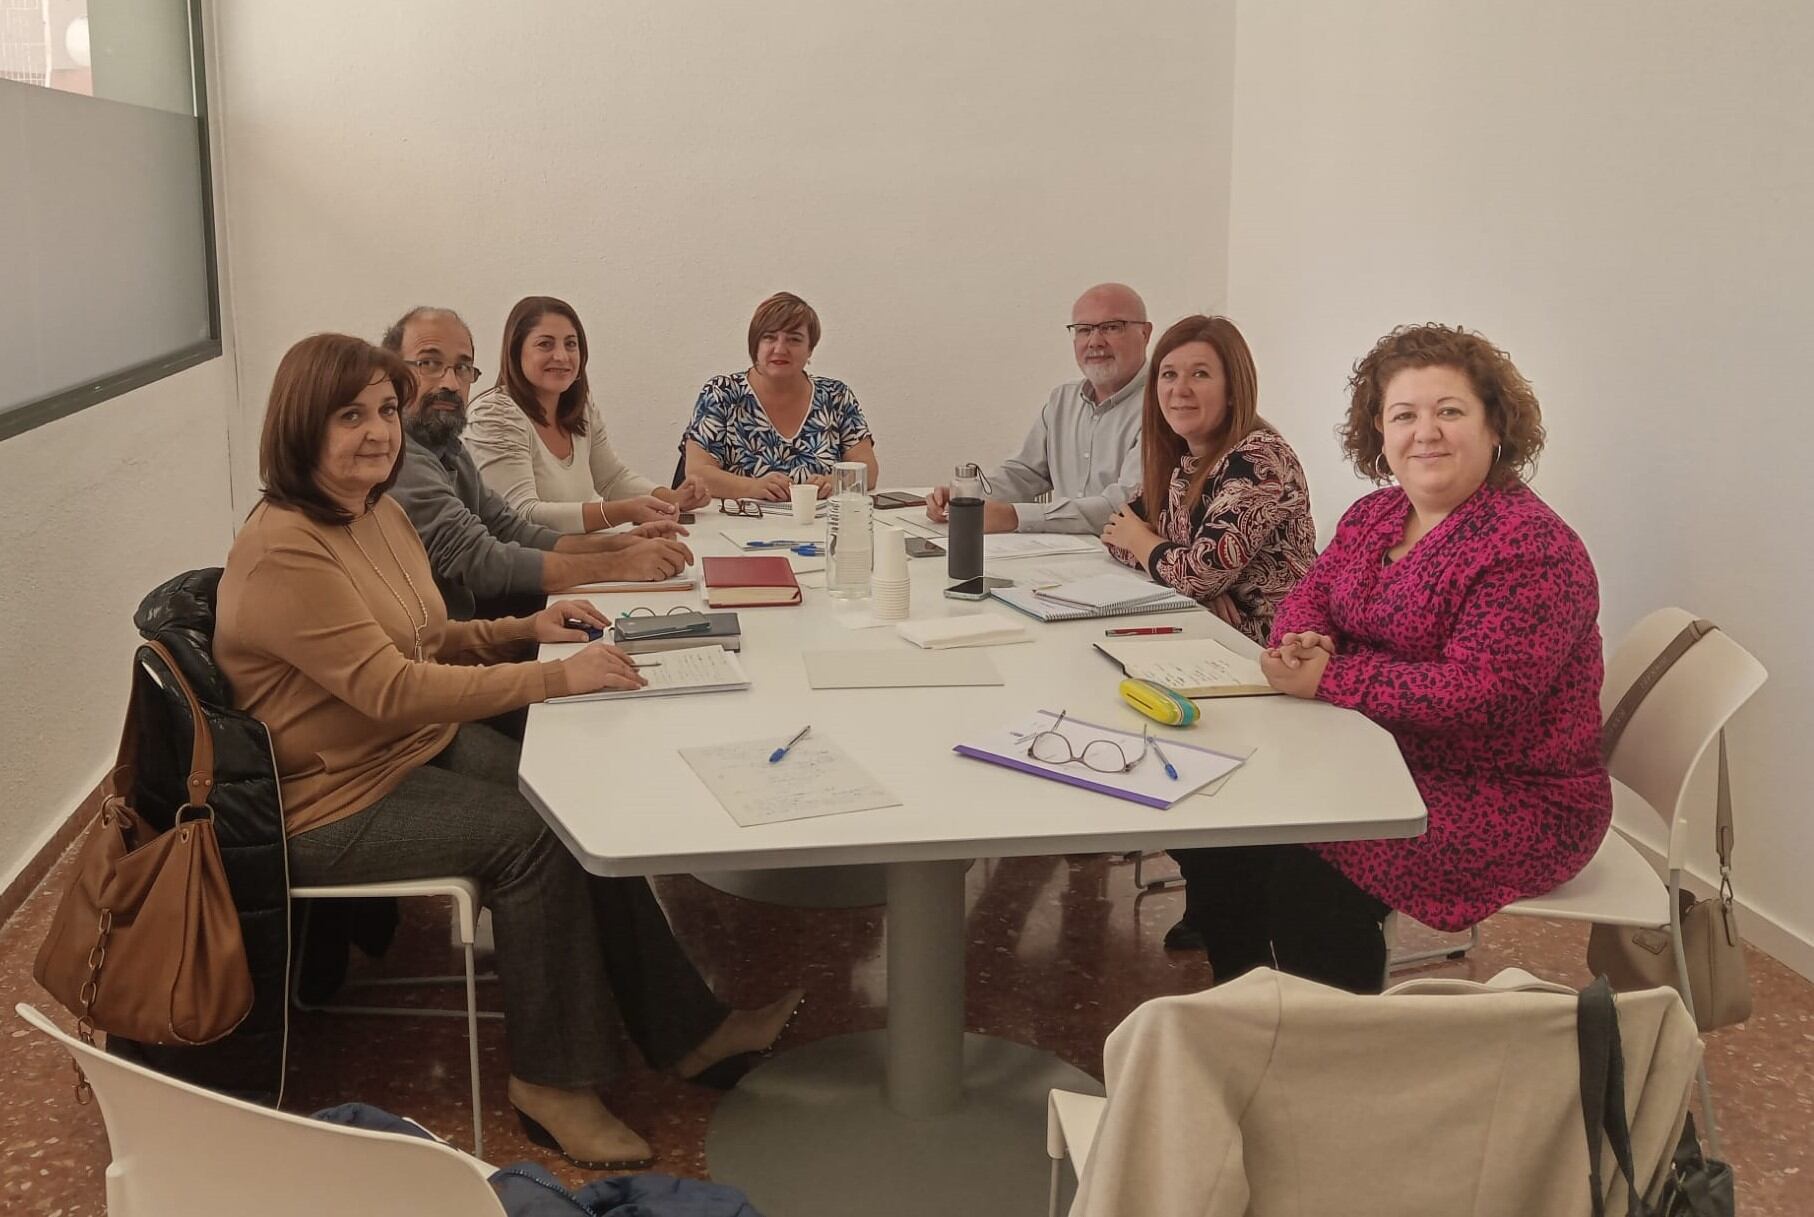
(95, 511)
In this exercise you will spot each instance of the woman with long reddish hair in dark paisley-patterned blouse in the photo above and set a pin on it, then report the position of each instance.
(1224, 514)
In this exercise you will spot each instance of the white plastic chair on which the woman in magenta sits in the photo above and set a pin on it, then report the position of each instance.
(1663, 745)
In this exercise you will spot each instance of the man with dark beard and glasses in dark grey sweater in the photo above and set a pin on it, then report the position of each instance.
(489, 561)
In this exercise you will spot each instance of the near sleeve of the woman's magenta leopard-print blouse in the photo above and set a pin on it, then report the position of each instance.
(1519, 621)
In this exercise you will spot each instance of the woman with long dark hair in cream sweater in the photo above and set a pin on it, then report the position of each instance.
(540, 442)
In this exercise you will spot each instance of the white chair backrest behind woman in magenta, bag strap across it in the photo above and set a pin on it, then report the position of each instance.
(1681, 717)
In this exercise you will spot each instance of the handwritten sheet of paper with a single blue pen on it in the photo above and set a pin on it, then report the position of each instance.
(815, 779)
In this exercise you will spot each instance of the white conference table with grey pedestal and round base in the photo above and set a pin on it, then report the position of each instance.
(955, 1116)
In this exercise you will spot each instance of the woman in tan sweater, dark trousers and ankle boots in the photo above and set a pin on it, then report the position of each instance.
(333, 634)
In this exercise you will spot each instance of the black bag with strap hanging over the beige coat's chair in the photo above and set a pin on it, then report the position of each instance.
(1699, 1187)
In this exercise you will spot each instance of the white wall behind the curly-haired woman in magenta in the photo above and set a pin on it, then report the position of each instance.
(1621, 197)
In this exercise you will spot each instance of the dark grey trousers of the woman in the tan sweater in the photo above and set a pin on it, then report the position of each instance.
(576, 951)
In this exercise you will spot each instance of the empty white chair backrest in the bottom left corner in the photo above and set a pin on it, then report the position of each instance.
(182, 1151)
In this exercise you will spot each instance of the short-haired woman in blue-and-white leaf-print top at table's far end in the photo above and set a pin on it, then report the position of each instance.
(757, 433)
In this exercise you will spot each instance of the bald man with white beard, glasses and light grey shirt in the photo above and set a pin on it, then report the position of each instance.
(1084, 449)
